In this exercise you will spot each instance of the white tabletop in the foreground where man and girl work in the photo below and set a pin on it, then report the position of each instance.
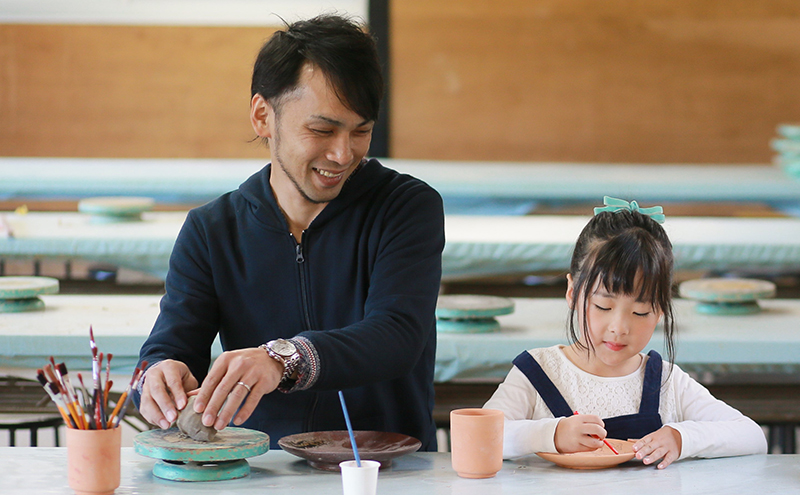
(29, 470)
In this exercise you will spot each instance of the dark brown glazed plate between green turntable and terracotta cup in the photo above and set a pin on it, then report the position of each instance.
(326, 449)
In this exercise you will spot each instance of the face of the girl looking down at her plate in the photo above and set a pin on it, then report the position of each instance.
(619, 329)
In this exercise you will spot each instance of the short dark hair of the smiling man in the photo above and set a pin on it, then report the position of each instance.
(338, 46)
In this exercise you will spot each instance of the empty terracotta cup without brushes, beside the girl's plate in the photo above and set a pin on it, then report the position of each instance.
(476, 442)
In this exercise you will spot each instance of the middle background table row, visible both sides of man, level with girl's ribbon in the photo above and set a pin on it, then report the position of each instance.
(475, 245)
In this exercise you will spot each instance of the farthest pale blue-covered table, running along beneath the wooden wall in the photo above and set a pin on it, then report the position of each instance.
(467, 186)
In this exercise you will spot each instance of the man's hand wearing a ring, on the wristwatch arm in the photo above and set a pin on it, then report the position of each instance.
(221, 393)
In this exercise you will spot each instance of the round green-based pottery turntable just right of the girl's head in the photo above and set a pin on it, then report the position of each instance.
(727, 296)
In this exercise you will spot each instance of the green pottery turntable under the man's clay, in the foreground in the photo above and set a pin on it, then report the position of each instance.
(182, 459)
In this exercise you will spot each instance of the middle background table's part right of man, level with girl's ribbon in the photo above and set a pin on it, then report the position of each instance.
(495, 245)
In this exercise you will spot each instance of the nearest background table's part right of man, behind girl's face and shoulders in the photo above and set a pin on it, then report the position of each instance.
(710, 346)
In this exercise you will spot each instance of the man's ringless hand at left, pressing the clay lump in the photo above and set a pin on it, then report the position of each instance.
(164, 392)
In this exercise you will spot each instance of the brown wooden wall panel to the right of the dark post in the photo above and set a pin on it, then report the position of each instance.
(581, 80)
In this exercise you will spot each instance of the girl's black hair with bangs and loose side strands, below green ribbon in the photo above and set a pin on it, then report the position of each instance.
(628, 253)
